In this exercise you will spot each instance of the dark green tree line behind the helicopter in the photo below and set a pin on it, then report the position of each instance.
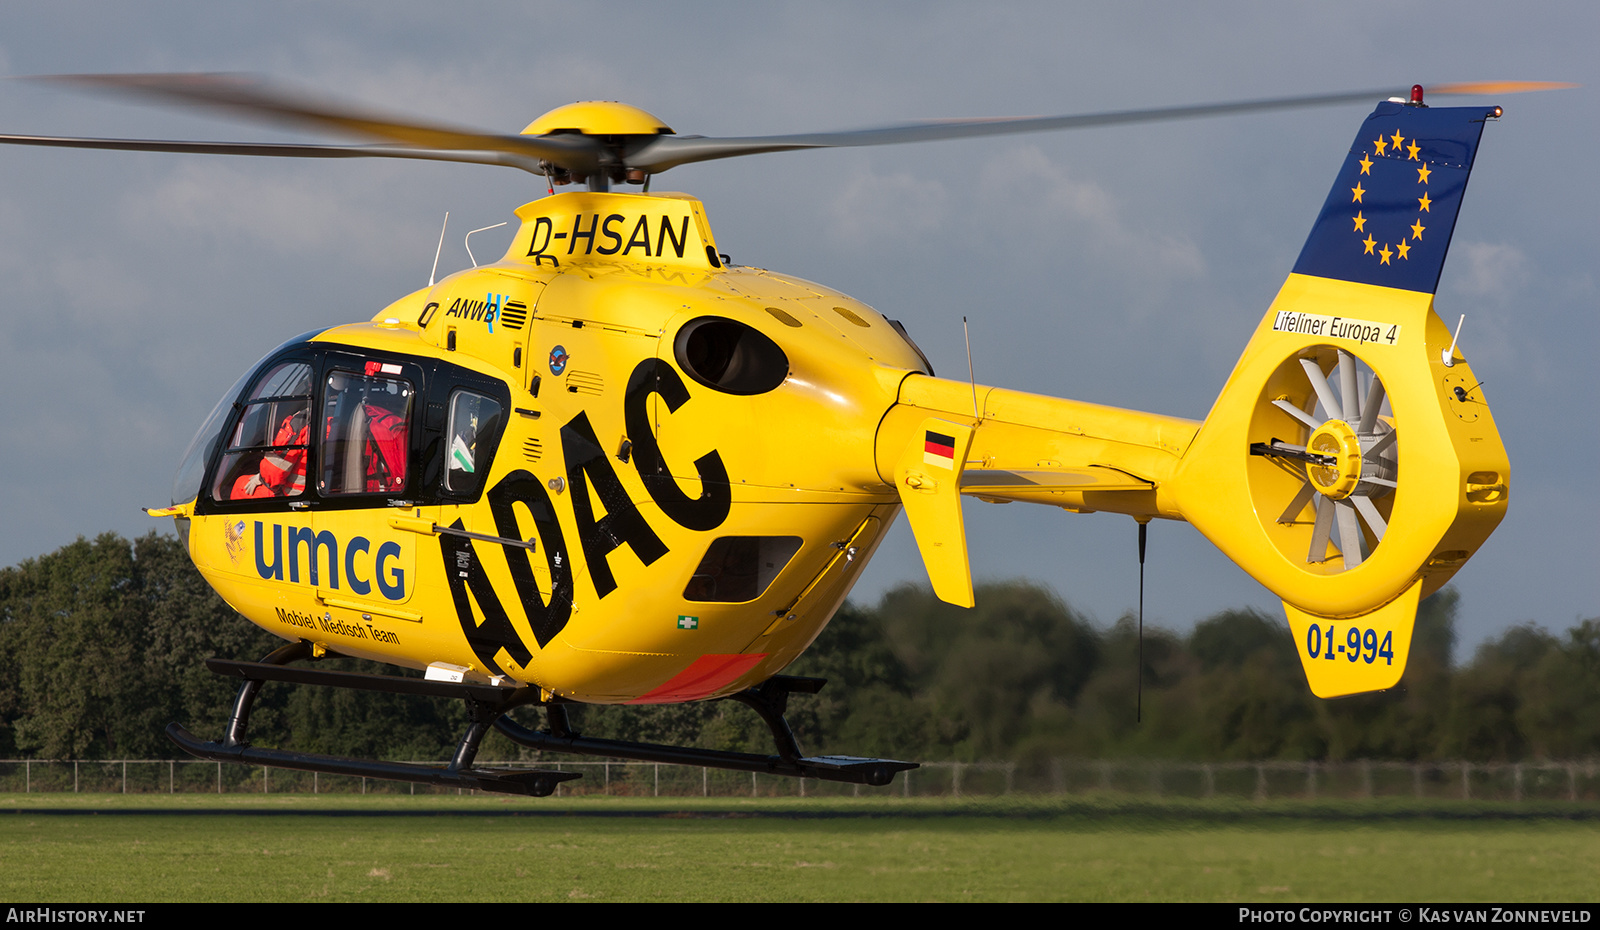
(103, 644)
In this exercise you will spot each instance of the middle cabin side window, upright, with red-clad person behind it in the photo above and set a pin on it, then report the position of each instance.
(366, 433)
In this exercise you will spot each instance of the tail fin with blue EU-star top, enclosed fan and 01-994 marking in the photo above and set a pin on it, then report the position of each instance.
(1348, 465)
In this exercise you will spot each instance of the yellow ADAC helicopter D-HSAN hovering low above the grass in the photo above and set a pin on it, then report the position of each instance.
(618, 468)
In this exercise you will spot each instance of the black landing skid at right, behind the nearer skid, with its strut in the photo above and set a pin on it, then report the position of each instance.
(770, 699)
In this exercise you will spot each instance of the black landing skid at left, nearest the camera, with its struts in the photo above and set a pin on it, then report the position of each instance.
(487, 705)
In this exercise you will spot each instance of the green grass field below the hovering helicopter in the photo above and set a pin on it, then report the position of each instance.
(111, 849)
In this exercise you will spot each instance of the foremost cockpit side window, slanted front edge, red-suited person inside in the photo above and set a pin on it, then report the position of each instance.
(266, 454)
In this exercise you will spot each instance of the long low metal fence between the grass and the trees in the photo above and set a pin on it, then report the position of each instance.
(1058, 777)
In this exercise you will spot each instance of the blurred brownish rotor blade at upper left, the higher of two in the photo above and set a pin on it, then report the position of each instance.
(260, 102)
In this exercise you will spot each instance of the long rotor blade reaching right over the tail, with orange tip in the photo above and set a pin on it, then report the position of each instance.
(671, 151)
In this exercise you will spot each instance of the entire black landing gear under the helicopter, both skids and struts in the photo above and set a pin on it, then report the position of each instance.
(489, 707)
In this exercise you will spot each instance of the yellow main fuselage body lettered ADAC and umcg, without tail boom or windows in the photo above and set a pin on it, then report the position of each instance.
(602, 609)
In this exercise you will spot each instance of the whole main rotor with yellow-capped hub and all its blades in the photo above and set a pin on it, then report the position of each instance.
(602, 143)
